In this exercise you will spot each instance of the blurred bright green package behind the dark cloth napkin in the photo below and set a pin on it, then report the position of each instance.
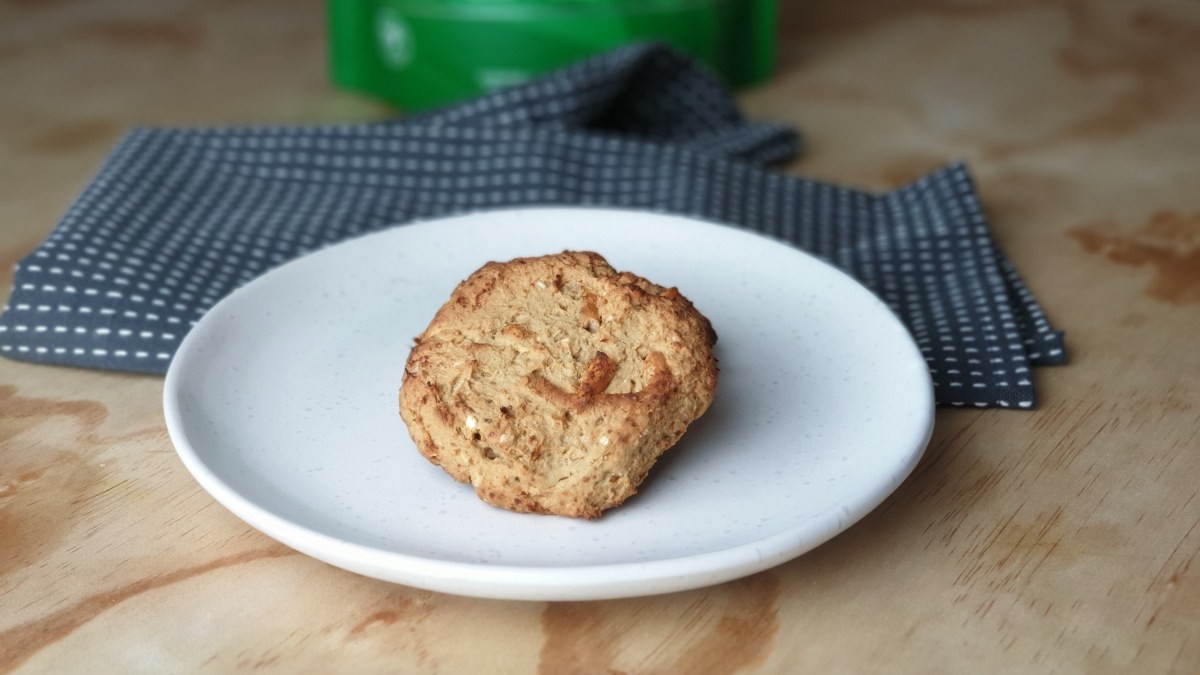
(418, 55)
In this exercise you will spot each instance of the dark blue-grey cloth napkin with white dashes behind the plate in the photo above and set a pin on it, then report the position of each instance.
(177, 219)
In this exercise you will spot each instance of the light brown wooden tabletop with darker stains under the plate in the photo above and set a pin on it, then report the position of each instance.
(1063, 540)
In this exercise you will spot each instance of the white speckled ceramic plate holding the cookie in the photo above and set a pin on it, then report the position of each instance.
(283, 404)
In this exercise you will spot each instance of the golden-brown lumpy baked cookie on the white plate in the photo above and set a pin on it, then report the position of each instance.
(554, 384)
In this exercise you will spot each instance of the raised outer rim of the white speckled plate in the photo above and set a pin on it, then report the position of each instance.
(535, 583)
